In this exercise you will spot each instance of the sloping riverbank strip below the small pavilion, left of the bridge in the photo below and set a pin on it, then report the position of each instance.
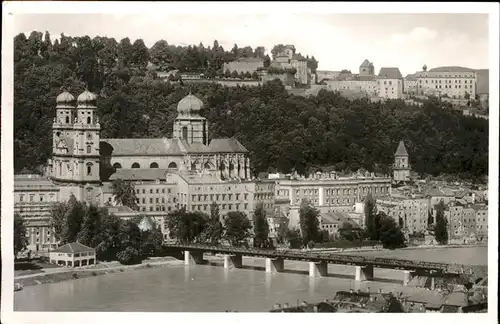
(64, 274)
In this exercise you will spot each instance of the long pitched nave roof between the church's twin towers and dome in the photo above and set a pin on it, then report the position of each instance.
(143, 146)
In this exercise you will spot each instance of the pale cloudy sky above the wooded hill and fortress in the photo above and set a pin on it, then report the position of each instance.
(337, 41)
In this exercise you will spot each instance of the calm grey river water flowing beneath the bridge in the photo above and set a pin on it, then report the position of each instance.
(211, 288)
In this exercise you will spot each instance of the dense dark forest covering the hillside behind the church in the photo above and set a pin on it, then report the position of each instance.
(281, 131)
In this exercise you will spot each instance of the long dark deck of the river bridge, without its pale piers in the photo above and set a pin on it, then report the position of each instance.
(356, 260)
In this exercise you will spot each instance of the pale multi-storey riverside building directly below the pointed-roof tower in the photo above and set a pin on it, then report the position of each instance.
(411, 213)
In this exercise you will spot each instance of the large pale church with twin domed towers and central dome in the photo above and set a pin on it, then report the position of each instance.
(79, 151)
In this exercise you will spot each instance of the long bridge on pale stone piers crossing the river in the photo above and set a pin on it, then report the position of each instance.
(318, 262)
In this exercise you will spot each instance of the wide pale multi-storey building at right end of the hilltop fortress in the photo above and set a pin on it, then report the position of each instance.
(453, 81)
